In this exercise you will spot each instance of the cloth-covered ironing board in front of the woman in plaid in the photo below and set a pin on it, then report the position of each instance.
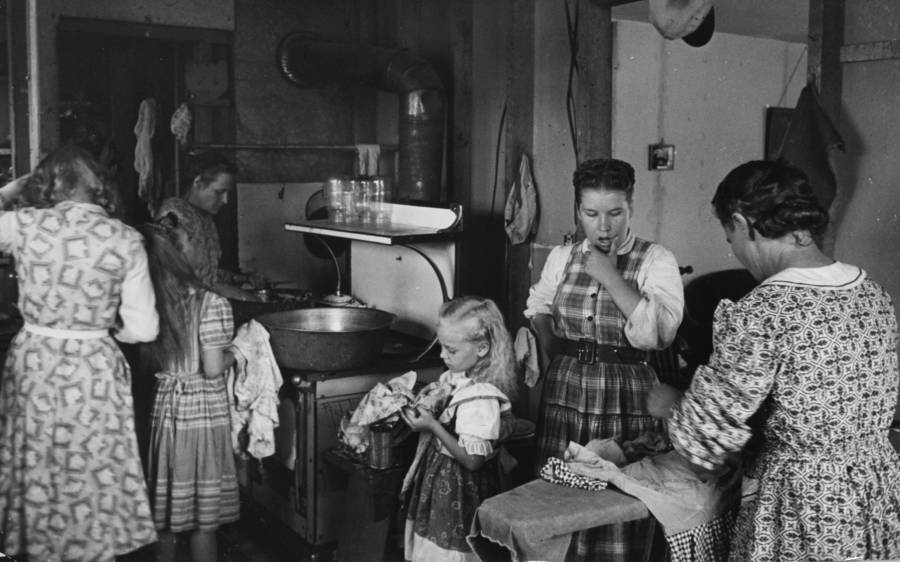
(536, 520)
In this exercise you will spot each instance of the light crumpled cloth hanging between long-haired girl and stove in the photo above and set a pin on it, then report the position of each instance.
(253, 386)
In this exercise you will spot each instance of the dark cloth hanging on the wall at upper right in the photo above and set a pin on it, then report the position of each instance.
(808, 141)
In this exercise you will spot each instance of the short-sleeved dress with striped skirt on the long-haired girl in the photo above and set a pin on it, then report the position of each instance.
(193, 480)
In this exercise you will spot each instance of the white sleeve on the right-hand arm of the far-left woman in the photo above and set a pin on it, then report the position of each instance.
(140, 321)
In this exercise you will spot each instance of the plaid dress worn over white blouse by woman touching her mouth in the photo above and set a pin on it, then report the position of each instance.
(583, 402)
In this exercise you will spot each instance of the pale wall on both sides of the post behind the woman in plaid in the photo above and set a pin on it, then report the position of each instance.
(709, 102)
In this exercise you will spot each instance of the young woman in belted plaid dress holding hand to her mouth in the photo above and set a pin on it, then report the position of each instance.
(598, 307)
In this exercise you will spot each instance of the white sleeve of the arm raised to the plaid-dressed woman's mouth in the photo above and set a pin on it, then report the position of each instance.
(653, 323)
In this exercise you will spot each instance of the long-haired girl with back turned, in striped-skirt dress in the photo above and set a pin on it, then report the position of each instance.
(192, 474)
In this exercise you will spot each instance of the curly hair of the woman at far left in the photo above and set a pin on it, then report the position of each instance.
(66, 170)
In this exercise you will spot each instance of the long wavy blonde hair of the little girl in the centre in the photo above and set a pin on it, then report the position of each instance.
(486, 325)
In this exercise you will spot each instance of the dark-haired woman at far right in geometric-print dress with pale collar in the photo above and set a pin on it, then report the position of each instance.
(811, 353)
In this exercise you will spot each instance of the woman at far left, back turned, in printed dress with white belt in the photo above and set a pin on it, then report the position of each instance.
(71, 484)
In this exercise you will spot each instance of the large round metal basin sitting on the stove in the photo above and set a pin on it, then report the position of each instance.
(326, 339)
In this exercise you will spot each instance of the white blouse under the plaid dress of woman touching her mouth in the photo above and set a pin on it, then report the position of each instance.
(653, 323)
